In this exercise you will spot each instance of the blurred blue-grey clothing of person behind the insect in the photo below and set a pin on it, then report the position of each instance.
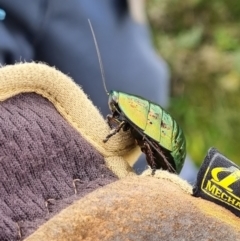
(57, 32)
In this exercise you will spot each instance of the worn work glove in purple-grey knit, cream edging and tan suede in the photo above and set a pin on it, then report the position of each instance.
(59, 181)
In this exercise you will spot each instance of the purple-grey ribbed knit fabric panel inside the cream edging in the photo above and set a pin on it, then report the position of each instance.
(45, 165)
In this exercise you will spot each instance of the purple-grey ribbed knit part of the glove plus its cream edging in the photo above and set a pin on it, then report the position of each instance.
(51, 147)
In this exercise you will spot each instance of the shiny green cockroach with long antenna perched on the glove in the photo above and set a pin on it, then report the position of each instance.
(155, 131)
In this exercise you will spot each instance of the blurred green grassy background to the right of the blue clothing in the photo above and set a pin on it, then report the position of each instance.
(200, 40)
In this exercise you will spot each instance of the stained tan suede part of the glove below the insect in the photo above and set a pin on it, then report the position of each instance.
(140, 208)
